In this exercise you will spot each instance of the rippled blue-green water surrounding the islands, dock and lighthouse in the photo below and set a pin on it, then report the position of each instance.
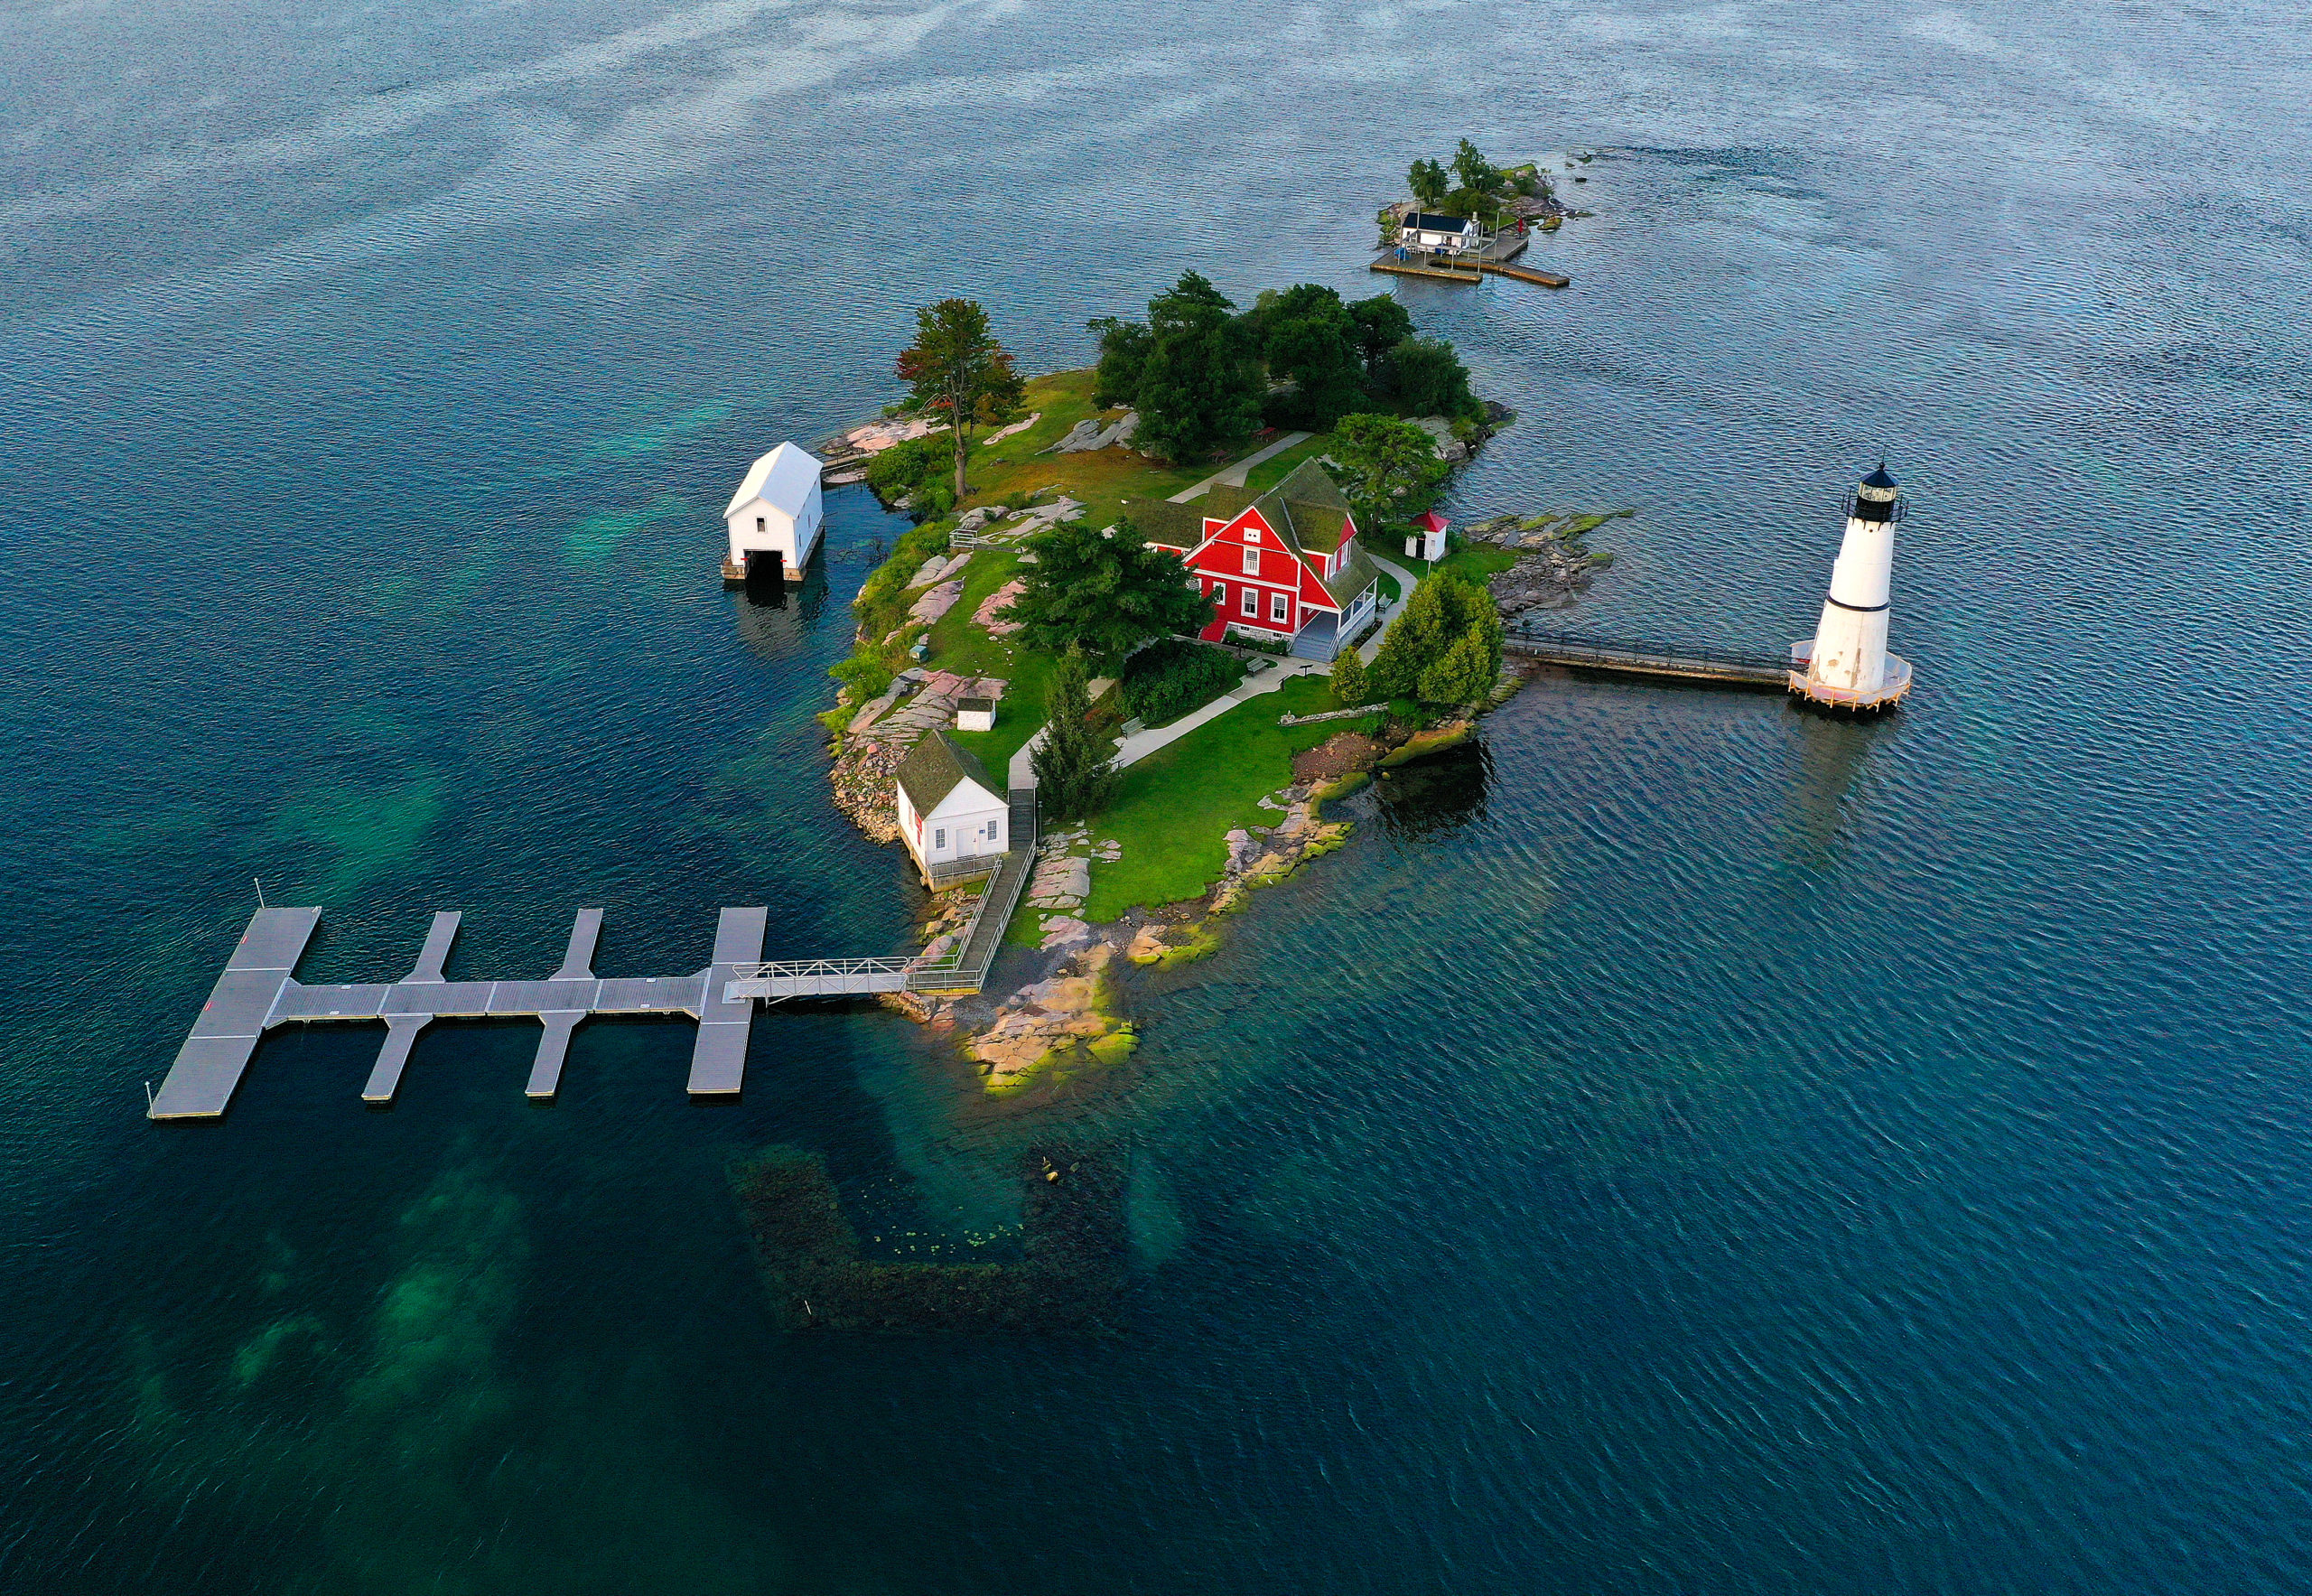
(1682, 1146)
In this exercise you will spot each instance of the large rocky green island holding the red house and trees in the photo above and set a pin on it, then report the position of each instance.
(1187, 596)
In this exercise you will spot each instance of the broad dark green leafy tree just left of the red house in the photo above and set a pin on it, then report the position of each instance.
(1104, 593)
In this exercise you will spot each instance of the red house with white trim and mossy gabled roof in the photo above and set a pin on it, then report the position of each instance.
(1284, 566)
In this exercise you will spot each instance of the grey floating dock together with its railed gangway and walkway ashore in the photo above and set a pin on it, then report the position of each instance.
(260, 991)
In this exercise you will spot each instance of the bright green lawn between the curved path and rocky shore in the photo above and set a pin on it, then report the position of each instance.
(1176, 808)
